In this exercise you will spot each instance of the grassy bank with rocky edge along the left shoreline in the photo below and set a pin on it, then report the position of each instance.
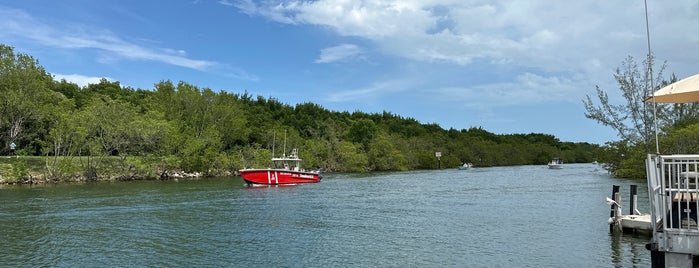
(39, 169)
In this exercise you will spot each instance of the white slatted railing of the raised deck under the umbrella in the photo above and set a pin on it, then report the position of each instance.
(673, 188)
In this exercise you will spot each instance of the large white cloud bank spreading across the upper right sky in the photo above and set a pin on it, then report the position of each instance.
(547, 35)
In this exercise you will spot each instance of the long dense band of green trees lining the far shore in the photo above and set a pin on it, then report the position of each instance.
(183, 127)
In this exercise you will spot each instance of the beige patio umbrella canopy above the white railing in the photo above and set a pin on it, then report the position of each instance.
(683, 91)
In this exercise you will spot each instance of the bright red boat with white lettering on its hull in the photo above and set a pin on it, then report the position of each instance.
(286, 170)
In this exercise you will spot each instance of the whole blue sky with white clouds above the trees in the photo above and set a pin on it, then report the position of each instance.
(505, 66)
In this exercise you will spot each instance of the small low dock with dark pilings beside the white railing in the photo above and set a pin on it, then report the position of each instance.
(635, 221)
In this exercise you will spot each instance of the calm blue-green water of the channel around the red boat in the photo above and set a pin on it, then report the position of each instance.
(526, 216)
